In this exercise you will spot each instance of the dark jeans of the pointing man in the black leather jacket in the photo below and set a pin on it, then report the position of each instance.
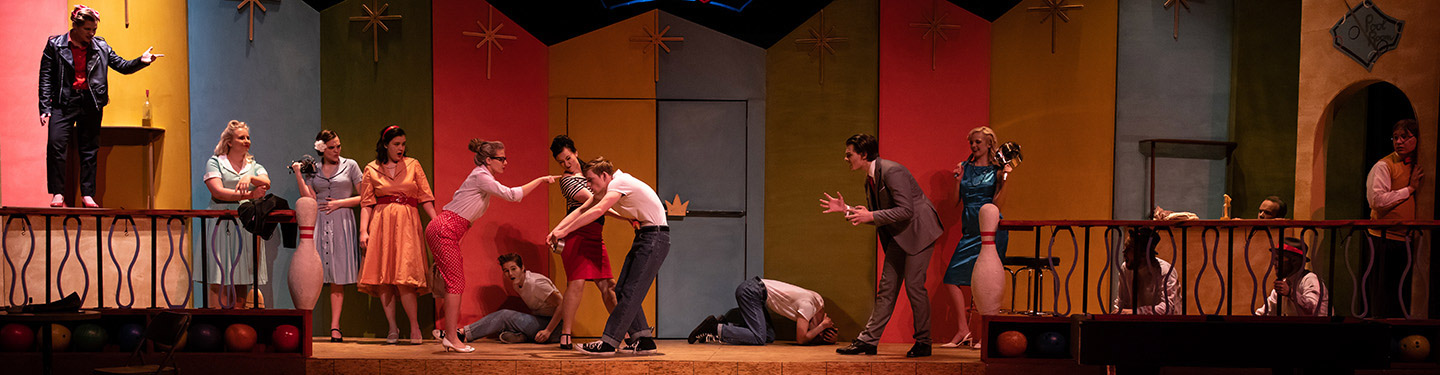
(81, 120)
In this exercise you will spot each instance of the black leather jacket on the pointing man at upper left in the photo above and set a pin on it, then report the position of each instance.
(58, 73)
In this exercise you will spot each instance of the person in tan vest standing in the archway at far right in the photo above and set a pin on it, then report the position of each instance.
(1390, 190)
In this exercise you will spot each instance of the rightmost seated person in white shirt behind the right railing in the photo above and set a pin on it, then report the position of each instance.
(1304, 292)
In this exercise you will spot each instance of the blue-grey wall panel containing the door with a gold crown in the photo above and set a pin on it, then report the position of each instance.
(711, 116)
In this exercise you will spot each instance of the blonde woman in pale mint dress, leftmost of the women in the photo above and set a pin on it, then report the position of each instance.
(233, 177)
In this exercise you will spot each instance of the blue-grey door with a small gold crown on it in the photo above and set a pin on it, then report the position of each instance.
(702, 158)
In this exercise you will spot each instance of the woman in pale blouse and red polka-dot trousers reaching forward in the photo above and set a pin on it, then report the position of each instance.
(469, 204)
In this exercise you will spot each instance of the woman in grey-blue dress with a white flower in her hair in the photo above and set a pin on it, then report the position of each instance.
(333, 187)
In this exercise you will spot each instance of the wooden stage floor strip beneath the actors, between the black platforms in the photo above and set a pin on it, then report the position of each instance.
(371, 357)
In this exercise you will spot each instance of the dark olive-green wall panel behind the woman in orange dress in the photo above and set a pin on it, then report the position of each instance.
(361, 96)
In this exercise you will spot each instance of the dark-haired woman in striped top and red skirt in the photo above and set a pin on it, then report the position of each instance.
(584, 253)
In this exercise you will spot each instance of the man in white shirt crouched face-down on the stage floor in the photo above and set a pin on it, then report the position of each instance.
(751, 325)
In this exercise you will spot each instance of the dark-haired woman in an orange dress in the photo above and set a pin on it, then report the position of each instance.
(392, 193)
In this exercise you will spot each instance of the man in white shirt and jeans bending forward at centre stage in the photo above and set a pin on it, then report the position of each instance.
(633, 200)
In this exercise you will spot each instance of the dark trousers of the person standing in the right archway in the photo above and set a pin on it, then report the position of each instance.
(1386, 289)
